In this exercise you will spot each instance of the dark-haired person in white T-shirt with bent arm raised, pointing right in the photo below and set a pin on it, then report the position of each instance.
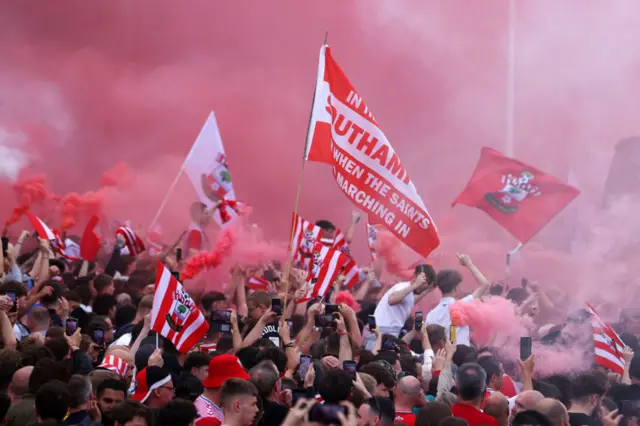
(448, 282)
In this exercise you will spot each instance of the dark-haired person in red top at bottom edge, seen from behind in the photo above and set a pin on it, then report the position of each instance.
(471, 382)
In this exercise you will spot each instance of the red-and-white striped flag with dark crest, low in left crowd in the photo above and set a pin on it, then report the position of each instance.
(175, 315)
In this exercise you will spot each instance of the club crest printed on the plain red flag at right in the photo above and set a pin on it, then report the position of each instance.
(515, 190)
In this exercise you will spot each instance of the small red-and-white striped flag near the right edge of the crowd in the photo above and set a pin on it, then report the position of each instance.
(608, 345)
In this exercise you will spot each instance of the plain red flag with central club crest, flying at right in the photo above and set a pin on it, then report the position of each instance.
(521, 198)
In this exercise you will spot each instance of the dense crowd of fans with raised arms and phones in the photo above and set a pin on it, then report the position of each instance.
(77, 349)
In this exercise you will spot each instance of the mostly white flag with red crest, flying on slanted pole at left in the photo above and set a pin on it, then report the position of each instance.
(207, 169)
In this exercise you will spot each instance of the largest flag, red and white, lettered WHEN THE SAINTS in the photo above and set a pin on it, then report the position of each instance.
(344, 134)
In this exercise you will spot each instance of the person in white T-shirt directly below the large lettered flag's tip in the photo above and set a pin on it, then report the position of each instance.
(396, 305)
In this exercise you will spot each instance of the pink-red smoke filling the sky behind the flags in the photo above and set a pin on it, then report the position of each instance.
(87, 86)
